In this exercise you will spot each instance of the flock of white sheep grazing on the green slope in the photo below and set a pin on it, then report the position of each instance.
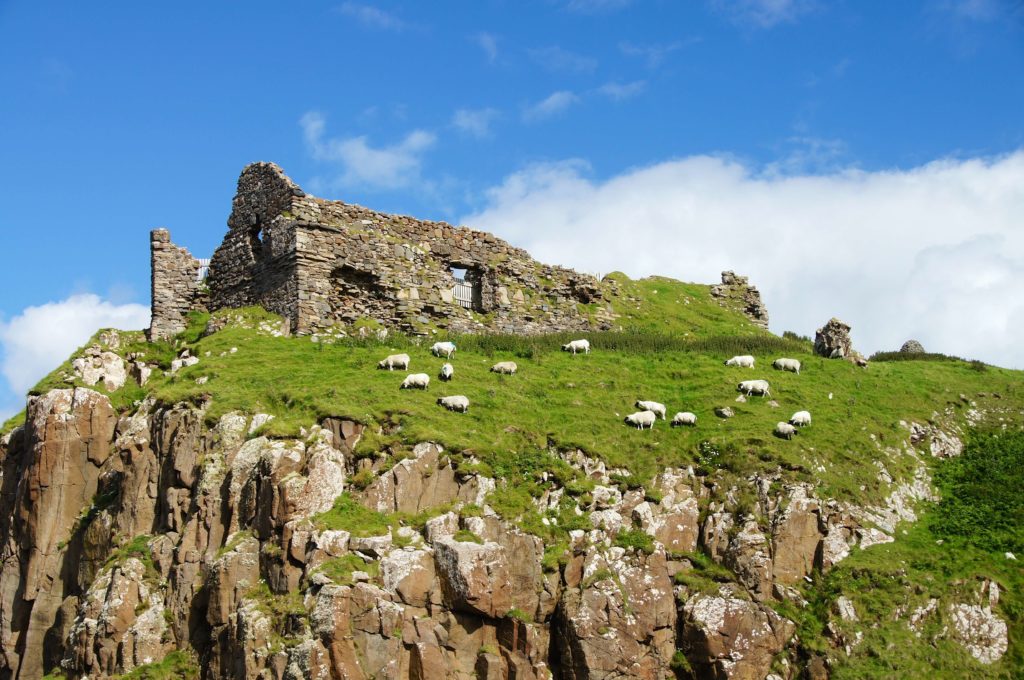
(642, 419)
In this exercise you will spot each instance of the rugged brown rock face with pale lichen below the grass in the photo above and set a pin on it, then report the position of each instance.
(126, 539)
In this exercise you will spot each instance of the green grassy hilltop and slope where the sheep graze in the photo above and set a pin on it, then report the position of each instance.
(673, 342)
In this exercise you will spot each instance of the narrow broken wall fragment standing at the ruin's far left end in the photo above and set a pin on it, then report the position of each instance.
(176, 286)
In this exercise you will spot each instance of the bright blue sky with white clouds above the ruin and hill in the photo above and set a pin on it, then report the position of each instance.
(522, 117)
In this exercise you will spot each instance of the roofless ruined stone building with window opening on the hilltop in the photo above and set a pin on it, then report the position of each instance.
(321, 263)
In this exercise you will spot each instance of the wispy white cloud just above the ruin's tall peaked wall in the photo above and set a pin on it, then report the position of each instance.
(364, 165)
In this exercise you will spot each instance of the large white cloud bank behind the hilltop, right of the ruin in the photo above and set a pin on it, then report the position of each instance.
(934, 252)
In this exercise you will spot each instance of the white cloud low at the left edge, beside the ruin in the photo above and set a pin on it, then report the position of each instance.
(38, 339)
